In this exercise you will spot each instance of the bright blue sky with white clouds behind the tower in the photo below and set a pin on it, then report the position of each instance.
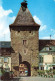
(43, 12)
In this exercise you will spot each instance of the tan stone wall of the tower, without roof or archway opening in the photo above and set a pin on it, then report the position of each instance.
(25, 47)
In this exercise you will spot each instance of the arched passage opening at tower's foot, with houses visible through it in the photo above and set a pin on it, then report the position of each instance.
(24, 69)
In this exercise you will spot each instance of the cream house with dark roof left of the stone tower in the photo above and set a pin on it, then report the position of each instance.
(5, 55)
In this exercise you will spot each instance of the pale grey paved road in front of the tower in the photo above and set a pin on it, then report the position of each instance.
(32, 79)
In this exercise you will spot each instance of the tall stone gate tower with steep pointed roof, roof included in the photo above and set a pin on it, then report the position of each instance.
(25, 41)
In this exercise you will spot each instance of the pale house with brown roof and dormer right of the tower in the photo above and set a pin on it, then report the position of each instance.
(47, 54)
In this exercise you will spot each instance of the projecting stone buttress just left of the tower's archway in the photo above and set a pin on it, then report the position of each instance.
(15, 64)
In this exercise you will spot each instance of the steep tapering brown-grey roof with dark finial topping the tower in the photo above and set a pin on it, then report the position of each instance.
(24, 17)
